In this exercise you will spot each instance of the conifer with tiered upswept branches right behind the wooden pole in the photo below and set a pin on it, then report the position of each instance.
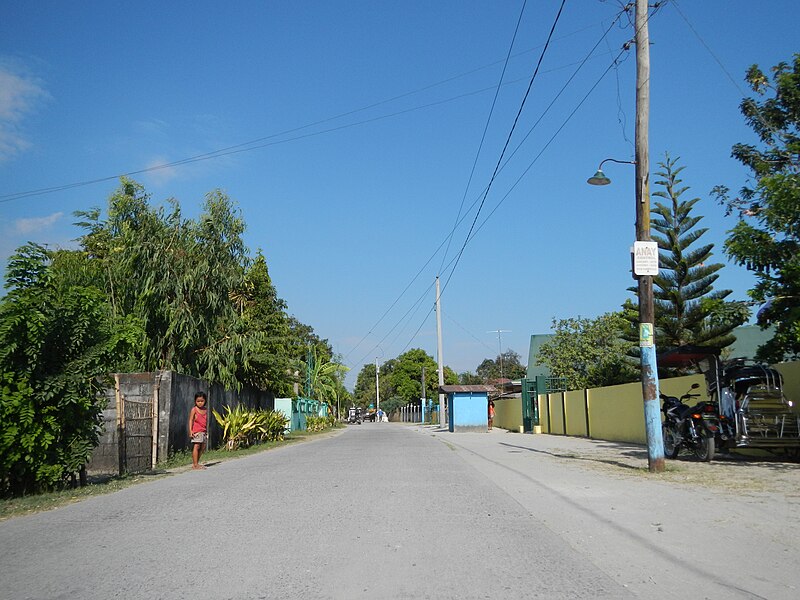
(684, 286)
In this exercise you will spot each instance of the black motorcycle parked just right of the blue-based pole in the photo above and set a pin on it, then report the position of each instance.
(692, 427)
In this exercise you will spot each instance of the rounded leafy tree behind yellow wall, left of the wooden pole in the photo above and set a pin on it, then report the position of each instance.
(589, 352)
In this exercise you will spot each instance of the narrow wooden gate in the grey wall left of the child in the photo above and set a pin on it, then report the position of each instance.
(137, 423)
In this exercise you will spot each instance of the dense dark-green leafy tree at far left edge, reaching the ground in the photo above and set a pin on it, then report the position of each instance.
(58, 342)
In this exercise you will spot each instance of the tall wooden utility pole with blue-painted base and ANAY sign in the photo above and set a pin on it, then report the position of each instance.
(647, 347)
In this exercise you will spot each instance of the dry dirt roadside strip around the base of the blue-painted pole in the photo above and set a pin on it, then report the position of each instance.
(734, 472)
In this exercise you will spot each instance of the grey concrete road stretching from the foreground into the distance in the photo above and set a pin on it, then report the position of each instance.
(391, 511)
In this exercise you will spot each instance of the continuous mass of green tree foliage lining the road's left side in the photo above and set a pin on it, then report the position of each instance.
(148, 290)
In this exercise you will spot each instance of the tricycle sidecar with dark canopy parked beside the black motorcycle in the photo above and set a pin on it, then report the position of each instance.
(752, 409)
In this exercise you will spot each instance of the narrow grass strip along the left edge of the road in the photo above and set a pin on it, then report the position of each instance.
(25, 505)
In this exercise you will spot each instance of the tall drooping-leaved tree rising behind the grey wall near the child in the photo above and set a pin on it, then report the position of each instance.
(176, 277)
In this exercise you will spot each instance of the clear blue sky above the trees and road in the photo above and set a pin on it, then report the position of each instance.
(352, 129)
